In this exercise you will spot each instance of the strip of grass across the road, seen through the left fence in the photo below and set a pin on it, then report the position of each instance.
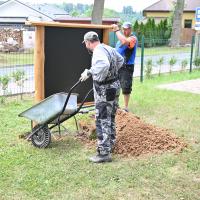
(9, 59)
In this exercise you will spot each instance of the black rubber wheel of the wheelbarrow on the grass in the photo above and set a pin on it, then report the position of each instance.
(41, 138)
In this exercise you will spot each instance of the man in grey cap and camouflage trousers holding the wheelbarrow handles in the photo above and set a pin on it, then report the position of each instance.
(106, 62)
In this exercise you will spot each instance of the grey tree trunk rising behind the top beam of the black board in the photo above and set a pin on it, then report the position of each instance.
(97, 12)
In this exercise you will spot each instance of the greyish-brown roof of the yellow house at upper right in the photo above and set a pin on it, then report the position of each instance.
(167, 6)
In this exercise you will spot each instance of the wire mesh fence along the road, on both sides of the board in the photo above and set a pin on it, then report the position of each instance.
(17, 68)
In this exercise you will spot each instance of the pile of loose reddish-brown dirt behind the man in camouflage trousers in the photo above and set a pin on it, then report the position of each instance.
(134, 137)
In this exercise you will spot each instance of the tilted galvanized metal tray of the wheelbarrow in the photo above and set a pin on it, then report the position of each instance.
(50, 108)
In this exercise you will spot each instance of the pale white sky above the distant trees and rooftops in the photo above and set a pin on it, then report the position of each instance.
(117, 5)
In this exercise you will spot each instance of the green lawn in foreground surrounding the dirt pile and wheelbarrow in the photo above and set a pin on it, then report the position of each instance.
(62, 171)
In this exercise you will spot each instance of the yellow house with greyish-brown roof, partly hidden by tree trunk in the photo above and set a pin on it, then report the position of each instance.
(163, 9)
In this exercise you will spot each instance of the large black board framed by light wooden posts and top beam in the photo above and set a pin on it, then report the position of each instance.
(60, 57)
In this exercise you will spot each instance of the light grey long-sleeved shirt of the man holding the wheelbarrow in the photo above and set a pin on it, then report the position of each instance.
(101, 59)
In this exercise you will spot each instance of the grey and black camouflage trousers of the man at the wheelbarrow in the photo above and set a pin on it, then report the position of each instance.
(106, 103)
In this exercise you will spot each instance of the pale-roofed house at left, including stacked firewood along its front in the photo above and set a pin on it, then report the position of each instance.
(14, 13)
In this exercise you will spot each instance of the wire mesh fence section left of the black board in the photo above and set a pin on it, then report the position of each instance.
(16, 72)
